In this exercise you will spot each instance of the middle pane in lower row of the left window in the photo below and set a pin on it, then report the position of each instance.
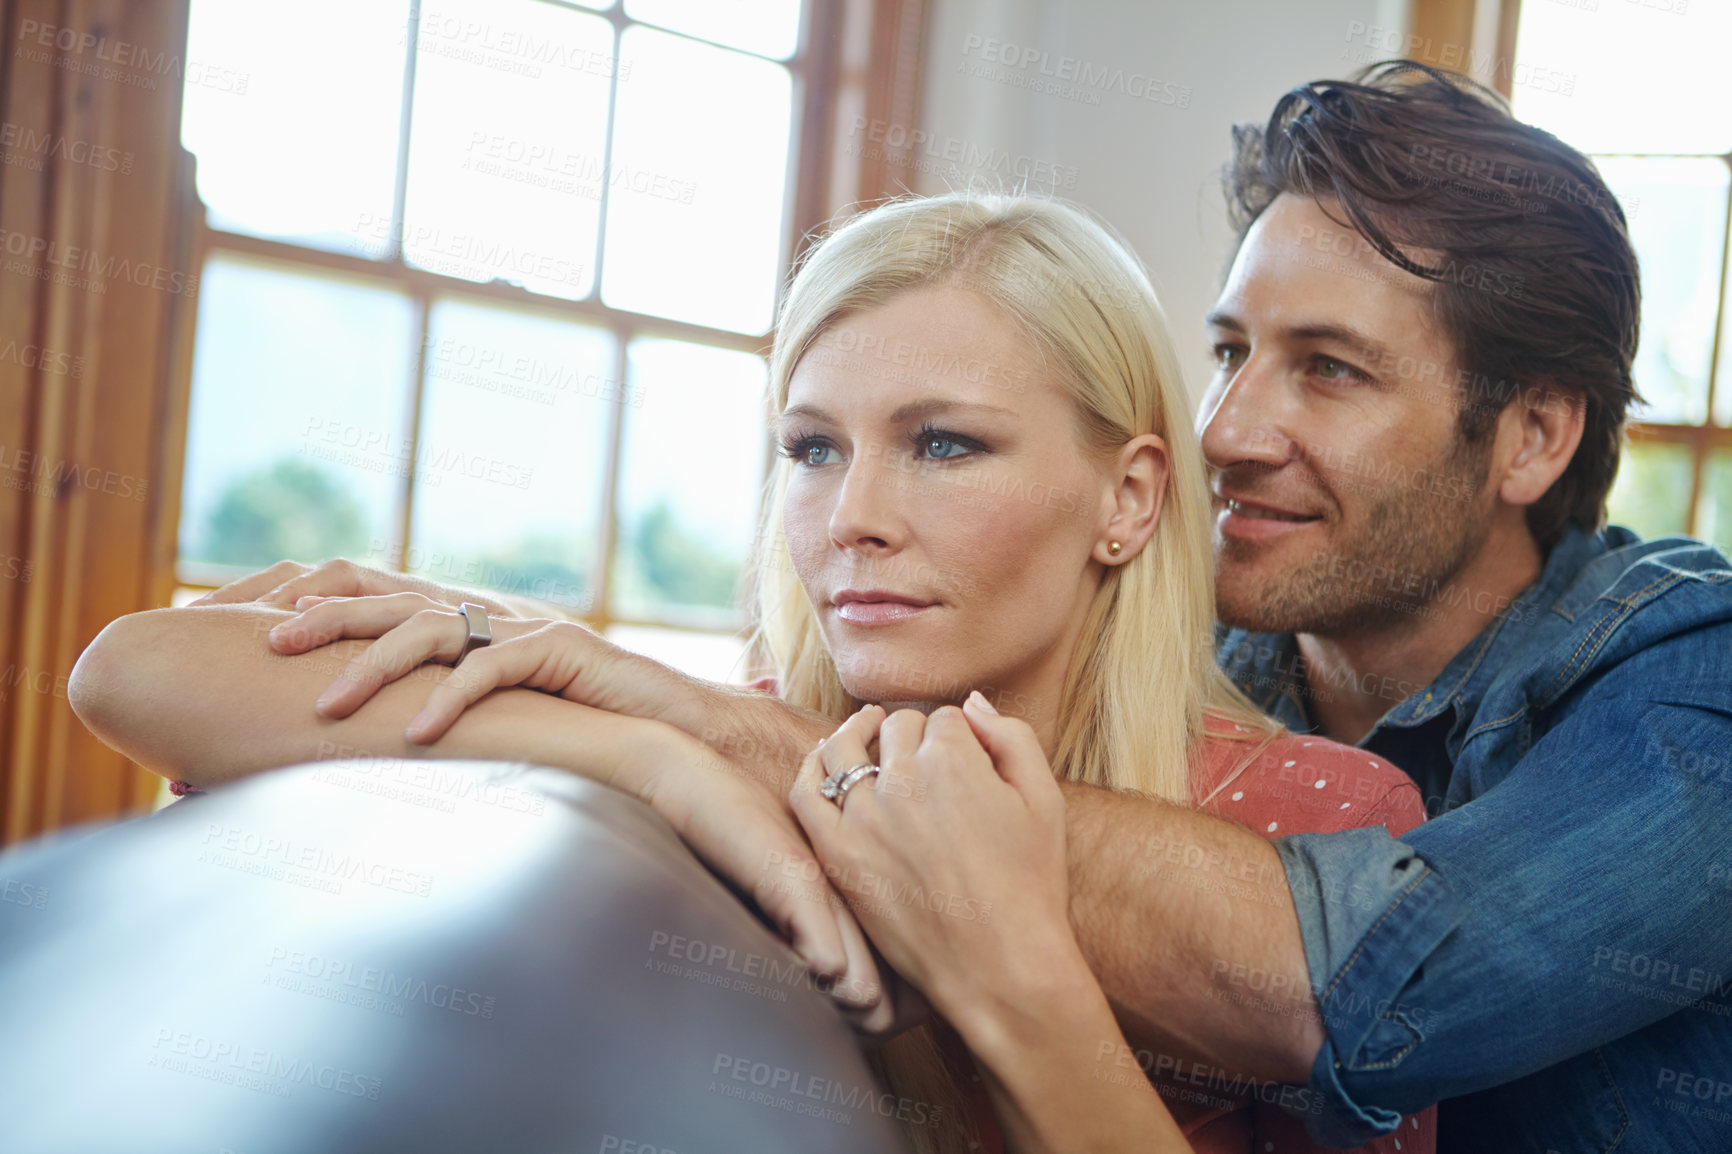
(514, 446)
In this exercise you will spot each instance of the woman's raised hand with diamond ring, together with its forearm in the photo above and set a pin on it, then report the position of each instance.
(953, 859)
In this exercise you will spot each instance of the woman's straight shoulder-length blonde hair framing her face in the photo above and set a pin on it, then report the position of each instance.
(1144, 673)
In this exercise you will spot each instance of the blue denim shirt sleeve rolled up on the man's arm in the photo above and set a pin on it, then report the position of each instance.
(1423, 949)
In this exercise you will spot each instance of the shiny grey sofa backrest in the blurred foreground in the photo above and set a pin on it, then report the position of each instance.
(408, 956)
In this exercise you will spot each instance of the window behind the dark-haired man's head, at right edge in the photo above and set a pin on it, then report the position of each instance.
(1671, 171)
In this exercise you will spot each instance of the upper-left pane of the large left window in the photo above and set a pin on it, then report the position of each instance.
(297, 127)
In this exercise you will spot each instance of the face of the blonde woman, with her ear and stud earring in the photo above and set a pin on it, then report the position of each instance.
(940, 477)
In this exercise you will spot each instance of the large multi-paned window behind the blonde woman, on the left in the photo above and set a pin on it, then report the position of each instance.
(486, 294)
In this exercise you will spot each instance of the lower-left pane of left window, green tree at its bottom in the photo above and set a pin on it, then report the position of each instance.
(295, 441)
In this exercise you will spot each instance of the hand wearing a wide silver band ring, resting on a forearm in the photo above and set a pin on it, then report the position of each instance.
(557, 658)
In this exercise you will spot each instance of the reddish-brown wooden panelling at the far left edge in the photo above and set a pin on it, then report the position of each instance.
(96, 280)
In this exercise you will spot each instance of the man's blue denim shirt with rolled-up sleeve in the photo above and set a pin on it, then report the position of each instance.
(1551, 954)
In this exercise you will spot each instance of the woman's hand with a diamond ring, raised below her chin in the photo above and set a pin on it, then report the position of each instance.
(955, 855)
